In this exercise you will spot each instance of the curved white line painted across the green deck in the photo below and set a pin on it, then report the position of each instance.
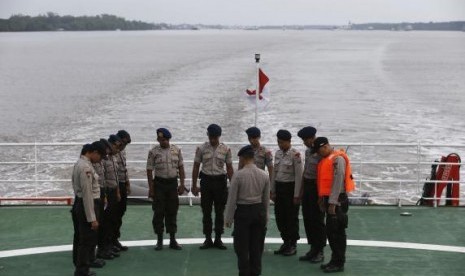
(388, 244)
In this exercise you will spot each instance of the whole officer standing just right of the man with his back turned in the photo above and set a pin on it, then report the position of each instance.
(285, 192)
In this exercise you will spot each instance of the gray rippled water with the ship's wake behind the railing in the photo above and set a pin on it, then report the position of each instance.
(353, 86)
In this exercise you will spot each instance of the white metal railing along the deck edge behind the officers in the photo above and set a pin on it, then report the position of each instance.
(419, 159)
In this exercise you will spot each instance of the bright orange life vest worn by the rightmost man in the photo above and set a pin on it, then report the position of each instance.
(325, 174)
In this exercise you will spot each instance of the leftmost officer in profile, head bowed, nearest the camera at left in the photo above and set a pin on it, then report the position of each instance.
(85, 211)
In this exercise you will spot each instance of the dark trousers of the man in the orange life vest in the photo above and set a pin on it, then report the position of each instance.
(336, 230)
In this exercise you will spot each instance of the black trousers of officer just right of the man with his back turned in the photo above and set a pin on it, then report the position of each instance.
(286, 212)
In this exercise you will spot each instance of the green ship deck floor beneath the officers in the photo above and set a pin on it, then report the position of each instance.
(36, 241)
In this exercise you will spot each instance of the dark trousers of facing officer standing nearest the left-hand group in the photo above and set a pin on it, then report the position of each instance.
(165, 205)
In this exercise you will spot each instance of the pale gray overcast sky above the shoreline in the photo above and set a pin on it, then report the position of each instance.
(249, 12)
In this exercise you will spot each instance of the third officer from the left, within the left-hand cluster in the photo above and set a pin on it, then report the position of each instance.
(113, 198)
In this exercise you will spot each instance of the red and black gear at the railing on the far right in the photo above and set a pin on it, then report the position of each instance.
(443, 172)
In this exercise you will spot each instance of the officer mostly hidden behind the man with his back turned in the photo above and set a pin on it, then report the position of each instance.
(262, 156)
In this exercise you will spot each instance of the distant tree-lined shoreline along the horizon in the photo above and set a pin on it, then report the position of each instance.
(54, 22)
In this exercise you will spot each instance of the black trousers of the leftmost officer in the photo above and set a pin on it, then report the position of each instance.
(85, 239)
